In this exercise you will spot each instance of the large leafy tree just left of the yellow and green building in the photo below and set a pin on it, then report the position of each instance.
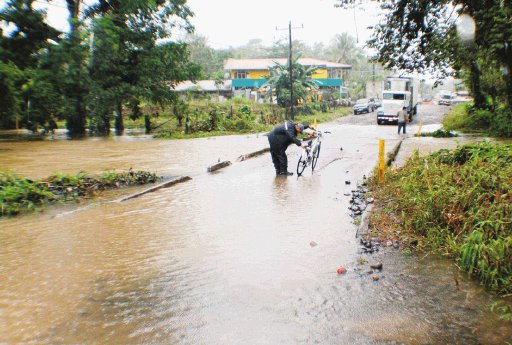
(128, 65)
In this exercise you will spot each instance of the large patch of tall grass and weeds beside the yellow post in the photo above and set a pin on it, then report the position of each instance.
(457, 203)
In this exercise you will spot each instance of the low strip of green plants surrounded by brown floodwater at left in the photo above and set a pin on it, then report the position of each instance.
(18, 195)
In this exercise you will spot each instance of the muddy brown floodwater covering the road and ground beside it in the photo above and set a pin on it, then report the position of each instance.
(234, 257)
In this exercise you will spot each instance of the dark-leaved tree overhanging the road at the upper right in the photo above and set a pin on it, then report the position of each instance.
(422, 36)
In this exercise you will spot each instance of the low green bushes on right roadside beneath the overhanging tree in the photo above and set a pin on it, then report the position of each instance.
(466, 118)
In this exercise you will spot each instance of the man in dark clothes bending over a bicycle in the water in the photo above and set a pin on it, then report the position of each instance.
(279, 139)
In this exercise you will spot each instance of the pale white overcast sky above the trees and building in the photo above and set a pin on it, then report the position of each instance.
(234, 22)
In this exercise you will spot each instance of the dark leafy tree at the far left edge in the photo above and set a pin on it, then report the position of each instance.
(22, 47)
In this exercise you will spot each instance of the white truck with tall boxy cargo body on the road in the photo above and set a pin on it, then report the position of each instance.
(399, 92)
